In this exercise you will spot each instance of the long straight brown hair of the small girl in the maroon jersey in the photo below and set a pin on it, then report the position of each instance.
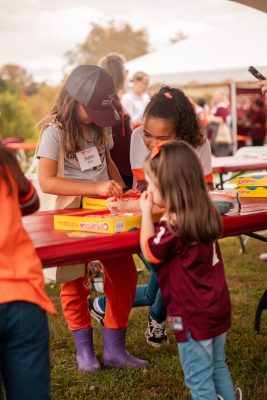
(178, 174)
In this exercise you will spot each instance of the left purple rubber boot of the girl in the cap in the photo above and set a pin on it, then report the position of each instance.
(85, 356)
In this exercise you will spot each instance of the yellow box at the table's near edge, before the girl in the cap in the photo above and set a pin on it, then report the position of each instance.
(100, 222)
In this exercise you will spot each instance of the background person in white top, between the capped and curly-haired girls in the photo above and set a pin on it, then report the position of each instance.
(136, 99)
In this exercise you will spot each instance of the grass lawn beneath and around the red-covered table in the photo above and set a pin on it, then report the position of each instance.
(246, 352)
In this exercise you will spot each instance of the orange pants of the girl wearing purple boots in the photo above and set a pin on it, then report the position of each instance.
(120, 279)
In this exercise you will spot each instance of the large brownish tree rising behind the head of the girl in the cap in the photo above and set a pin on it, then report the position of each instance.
(115, 37)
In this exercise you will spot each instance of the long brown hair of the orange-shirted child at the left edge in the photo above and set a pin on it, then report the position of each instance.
(9, 167)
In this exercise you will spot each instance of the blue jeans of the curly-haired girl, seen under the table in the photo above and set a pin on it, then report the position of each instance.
(146, 295)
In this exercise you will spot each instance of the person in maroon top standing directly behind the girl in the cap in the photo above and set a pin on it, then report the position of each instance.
(114, 65)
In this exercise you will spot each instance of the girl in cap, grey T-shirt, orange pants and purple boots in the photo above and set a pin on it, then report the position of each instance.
(83, 110)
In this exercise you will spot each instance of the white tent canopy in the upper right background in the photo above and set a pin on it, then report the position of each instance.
(221, 54)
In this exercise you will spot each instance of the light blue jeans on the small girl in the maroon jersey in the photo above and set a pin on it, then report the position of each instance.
(205, 370)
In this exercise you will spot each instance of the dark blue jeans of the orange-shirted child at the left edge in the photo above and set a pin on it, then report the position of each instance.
(24, 353)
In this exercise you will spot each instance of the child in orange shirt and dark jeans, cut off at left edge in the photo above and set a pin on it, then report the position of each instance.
(24, 336)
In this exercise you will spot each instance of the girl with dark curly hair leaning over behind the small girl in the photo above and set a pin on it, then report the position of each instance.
(168, 115)
